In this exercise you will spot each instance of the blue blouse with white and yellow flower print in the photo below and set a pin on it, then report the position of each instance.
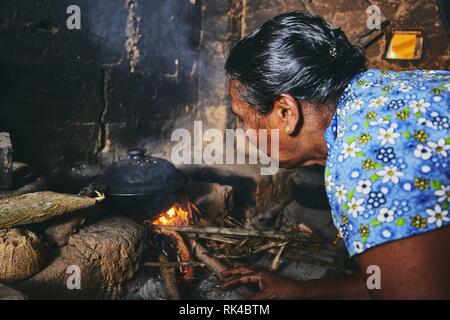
(388, 169)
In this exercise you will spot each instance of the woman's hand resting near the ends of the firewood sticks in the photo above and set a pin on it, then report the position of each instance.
(271, 286)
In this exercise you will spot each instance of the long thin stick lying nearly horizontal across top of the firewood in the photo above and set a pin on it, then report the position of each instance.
(239, 232)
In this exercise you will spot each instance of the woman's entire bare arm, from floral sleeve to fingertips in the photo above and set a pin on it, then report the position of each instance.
(412, 268)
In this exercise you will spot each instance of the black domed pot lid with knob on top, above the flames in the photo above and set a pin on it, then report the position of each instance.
(141, 175)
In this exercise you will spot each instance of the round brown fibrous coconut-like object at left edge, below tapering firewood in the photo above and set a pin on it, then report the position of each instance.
(21, 254)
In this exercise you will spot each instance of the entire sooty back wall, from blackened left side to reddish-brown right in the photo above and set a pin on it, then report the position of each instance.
(77, 95)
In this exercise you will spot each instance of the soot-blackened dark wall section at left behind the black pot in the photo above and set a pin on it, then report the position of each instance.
(122, 80)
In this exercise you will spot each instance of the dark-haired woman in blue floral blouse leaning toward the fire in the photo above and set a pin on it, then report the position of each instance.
(384, 138)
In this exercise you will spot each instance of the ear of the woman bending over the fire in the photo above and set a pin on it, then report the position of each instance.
(288, 113)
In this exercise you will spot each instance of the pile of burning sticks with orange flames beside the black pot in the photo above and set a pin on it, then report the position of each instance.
(236, 241)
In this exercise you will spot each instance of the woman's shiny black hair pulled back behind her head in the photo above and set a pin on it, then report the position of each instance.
(294, 53)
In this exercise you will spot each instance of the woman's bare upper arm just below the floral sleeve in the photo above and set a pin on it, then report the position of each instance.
(412, 268)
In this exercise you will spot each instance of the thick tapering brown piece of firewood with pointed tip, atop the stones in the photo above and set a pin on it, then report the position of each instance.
(40, 206)
